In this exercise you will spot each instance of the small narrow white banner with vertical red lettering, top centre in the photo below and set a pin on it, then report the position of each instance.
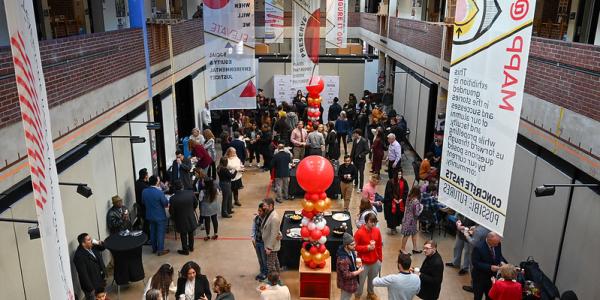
(337, 24)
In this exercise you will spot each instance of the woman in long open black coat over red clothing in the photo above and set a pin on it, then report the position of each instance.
(396, 191)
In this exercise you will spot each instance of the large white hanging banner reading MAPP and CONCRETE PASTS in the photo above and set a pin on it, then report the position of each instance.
(484, 107)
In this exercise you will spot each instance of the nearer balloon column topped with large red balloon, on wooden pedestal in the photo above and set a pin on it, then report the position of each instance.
(315, 175)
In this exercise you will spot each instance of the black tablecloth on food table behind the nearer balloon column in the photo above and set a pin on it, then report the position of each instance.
(289, 254)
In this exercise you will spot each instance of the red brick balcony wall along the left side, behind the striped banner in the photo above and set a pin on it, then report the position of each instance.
(77, 65)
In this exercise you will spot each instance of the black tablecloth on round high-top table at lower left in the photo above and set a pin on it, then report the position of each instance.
(127, 257)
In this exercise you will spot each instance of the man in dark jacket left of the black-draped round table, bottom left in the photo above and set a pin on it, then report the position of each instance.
(90, 266)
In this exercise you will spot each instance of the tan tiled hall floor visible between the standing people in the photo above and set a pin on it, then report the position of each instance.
(233, 256)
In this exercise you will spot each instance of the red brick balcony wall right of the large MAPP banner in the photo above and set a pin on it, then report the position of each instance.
(566, 74)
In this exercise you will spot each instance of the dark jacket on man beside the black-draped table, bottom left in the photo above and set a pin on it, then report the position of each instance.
(90, 269)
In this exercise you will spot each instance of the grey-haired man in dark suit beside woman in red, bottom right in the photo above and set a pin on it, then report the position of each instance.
(486, 259)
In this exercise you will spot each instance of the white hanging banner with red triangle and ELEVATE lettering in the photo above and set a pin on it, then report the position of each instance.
(229, 47)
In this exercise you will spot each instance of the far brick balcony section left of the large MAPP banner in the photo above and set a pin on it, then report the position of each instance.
(420, 35)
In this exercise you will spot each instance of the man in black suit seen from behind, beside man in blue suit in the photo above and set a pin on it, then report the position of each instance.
(182, 209)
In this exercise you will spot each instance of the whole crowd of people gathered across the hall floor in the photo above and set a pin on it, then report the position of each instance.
(280, 136)
